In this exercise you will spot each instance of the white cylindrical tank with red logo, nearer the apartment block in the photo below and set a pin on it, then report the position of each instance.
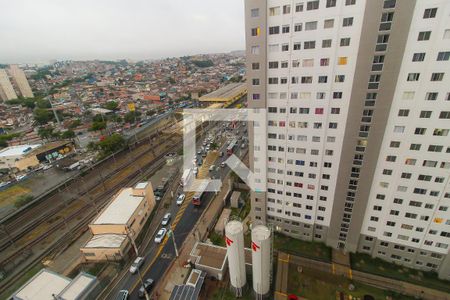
(261, 243)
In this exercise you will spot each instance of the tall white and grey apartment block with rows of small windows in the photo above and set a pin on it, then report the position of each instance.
(358, 106)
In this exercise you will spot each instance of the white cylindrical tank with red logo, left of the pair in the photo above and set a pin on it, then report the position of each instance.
(234, 238)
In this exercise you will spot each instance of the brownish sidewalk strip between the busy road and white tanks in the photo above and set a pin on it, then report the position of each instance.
(176, 274)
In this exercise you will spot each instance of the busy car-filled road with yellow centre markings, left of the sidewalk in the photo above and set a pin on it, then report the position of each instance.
(182, 214)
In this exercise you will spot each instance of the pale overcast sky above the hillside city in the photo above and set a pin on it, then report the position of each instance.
(33, 31)
